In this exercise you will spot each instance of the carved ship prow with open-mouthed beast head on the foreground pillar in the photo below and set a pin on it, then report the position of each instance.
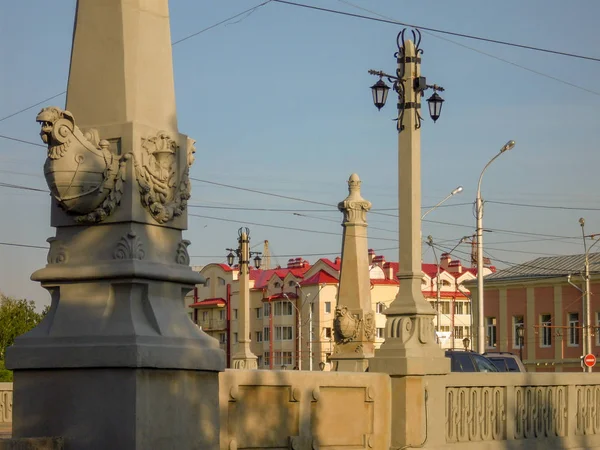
(83, 175)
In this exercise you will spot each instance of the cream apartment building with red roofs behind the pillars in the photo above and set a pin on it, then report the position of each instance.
(292, 308)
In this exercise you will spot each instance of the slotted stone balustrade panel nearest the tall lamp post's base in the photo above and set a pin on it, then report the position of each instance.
(475, 414)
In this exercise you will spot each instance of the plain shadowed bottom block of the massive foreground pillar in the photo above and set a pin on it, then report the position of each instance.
(120, 408)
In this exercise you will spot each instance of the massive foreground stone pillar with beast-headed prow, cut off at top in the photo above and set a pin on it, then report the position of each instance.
(117, 363)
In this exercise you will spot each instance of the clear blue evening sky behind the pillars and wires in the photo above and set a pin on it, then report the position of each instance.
(278, 101)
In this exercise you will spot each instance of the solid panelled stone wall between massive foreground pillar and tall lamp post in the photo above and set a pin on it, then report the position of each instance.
(304, 410)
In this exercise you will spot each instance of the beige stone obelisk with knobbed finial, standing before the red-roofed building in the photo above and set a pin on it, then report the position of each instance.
(354, 323)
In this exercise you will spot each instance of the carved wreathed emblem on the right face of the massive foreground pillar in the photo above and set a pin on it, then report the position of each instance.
(164, 189)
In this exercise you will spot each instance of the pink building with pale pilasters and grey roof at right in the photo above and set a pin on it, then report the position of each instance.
(546, 297)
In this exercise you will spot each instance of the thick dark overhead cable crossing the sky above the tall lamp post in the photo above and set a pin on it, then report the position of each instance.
(437, 30)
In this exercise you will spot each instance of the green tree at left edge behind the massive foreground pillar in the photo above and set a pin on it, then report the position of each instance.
(17, 316)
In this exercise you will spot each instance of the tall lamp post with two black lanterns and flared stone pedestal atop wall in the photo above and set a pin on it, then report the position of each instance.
(409, 304)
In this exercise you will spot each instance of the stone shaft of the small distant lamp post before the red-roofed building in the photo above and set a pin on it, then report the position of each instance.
(243, 358)
